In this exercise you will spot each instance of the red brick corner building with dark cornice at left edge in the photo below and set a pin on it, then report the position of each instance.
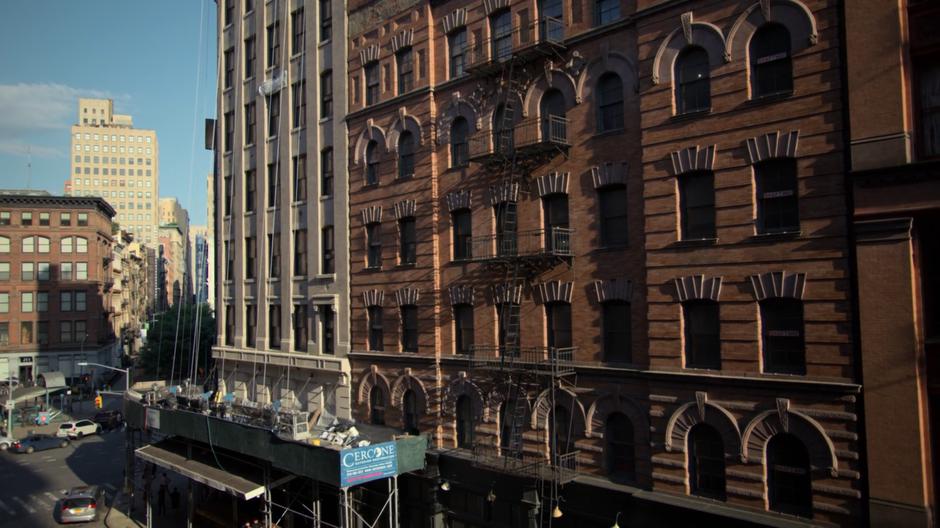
(55, 282)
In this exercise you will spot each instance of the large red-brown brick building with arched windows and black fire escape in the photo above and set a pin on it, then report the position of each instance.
(645, 203)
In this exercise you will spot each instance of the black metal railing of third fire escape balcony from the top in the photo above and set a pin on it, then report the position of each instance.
(535, 243)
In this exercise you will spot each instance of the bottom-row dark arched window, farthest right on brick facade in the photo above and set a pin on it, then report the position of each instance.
(789, 482)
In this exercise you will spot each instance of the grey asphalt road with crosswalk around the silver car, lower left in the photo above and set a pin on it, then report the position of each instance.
(30, 485)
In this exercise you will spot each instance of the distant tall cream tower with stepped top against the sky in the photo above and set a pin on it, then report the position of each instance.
(112, 159)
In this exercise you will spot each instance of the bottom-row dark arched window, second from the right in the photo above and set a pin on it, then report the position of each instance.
(706, 455)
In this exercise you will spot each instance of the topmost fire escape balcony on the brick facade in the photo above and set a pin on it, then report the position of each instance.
(523, 41)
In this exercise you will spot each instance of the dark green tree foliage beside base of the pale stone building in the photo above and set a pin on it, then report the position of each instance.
(175, 329)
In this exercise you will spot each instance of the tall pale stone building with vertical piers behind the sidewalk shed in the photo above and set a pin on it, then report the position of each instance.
(282, 280)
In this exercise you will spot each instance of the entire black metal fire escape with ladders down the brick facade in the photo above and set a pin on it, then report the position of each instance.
(508, 151)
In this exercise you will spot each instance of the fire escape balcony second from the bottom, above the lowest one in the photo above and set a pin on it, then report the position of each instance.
(552, 361)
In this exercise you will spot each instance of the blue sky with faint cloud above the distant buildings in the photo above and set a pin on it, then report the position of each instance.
(155, 58)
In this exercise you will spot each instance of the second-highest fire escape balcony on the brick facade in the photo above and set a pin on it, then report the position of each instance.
(530, 138)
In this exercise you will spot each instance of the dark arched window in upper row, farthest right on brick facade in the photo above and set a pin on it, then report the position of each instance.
(771, 63)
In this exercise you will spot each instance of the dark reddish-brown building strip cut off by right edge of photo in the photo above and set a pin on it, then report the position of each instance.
(895, 161)
